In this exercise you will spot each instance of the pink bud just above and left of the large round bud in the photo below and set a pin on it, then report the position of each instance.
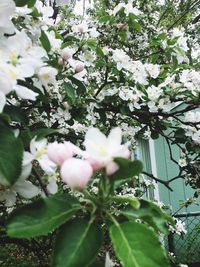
(58, 153)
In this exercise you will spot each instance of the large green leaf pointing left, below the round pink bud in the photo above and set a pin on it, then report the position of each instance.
(42, 216)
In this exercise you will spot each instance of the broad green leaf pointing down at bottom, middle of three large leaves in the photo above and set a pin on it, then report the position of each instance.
(77, 244)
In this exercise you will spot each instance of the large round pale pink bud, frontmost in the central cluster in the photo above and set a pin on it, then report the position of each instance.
(76, 173)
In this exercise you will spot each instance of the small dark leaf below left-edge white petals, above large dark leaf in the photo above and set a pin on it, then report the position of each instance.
(16, 114)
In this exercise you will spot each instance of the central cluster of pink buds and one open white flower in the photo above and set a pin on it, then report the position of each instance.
(99, 153)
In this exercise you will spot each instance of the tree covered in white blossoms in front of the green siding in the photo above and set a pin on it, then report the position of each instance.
(76, 95)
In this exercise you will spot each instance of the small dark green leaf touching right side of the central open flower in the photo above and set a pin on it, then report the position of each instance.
(127, 169)
